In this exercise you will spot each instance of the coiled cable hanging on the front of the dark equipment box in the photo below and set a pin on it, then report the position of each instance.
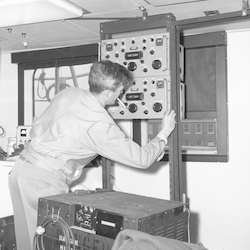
(69, 237)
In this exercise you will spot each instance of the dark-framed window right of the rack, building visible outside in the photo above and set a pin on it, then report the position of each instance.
(204, 127)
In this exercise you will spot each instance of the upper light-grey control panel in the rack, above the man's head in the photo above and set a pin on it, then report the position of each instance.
(146, 55)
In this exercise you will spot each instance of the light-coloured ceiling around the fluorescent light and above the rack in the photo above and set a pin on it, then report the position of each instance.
(72, 32)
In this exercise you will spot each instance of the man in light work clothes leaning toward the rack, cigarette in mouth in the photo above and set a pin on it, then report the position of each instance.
(71, 132)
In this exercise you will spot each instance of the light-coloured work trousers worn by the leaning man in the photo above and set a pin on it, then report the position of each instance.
(28, 183)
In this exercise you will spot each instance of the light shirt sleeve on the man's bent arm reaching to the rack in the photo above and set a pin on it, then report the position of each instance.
(110, 142)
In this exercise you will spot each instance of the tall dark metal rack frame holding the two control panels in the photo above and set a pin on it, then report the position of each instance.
(152, 24)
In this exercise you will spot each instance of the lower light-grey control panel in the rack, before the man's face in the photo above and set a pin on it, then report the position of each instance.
(147, 98)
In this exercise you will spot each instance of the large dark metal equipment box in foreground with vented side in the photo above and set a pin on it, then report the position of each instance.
(92, 219)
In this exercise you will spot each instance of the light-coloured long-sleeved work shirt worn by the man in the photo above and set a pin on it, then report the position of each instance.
(75, 128)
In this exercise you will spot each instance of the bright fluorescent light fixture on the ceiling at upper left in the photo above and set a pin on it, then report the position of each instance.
(18, 12)
